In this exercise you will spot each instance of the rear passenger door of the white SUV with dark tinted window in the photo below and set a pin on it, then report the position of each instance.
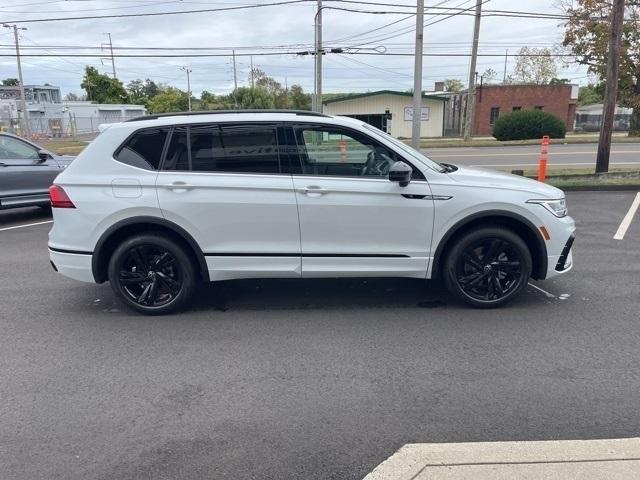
(223, 184)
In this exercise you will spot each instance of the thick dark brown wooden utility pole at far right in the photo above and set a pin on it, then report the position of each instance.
(611, 89)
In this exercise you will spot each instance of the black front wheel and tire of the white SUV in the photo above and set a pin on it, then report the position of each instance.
(487, 267)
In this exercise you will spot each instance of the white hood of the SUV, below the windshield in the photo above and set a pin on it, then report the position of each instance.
(506, 181)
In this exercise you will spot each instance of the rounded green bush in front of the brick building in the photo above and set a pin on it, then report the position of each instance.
(527, 125)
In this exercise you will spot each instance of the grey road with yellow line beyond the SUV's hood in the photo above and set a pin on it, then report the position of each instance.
(577, 155)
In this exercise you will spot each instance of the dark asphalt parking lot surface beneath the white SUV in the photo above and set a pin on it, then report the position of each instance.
(309, 379)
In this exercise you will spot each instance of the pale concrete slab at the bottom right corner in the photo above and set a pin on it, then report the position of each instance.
(614, 459)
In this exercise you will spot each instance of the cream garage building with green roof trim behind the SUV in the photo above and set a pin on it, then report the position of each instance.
(391, 111)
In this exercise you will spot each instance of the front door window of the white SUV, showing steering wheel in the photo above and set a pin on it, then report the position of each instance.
(339, 152)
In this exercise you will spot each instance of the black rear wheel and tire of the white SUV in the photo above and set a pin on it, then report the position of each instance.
(152, 274)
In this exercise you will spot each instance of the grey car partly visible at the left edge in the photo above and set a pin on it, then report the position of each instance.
(26, 172)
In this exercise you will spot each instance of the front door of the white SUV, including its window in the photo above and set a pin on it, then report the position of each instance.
(353, 220)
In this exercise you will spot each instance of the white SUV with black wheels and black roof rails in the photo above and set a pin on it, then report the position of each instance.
(159, 203)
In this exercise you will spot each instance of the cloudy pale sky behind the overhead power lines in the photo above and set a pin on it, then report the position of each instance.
(266, 27)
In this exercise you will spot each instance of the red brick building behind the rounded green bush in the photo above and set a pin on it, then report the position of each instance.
(495, 100)
